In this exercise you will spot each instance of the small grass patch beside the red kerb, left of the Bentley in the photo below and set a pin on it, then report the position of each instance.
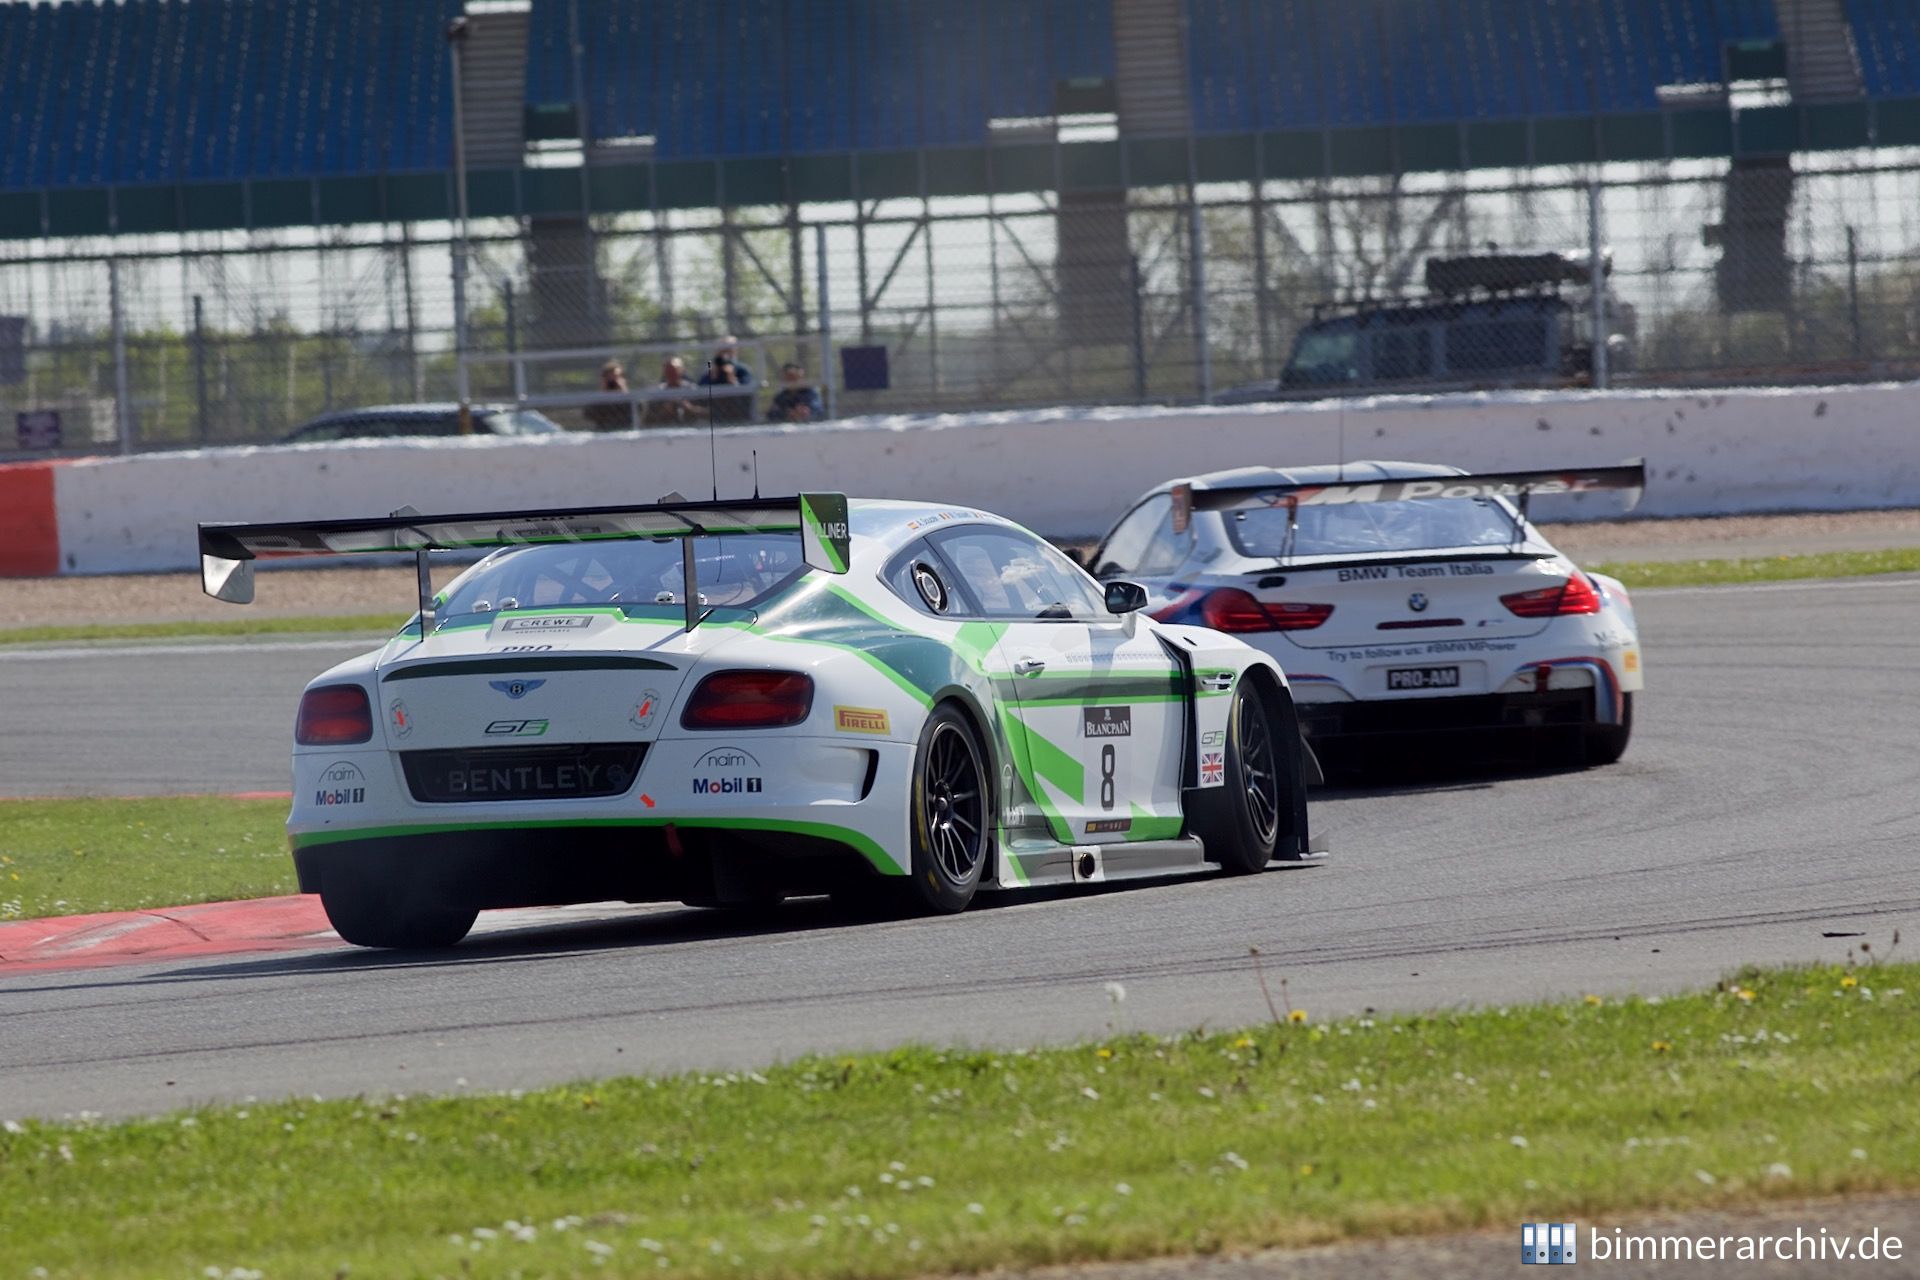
(76, 857)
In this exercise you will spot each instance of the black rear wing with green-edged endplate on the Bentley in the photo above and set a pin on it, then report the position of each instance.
(228, 552)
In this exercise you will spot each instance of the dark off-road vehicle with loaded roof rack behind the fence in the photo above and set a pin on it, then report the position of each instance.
(1487, 321)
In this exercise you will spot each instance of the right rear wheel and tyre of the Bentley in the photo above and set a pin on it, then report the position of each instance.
(951, 815)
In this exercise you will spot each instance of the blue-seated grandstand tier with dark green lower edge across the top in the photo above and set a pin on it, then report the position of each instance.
(201, 114)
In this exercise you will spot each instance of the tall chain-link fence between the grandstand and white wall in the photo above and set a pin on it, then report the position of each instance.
(1228, 293)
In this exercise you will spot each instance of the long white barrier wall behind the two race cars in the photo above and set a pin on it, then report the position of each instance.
(1063, 473)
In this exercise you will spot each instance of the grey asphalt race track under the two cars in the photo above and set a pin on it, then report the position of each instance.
(1771, 799)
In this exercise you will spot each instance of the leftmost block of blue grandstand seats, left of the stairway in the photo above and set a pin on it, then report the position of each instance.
(180, 91)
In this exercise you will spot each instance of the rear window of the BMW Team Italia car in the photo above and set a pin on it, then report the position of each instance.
(1364, 529)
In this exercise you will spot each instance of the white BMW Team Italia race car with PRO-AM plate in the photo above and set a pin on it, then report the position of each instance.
(1397, 596)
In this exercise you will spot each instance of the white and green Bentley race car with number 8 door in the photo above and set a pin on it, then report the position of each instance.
(727, 703)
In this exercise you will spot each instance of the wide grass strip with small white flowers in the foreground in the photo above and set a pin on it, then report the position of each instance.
(1785, 1083)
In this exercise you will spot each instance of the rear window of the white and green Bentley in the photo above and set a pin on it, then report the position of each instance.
(736, 571)
